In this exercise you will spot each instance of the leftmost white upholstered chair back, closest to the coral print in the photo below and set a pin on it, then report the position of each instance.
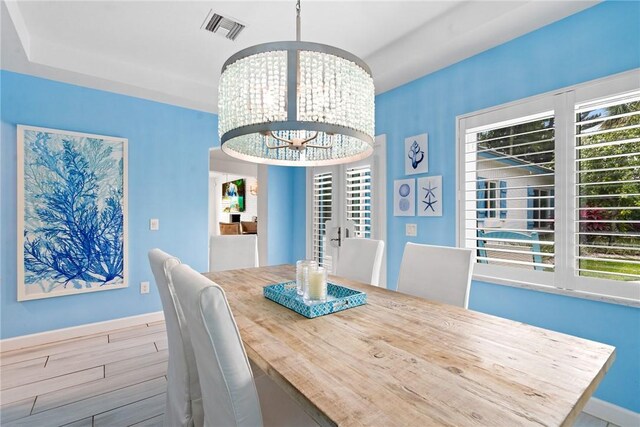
(184, 405)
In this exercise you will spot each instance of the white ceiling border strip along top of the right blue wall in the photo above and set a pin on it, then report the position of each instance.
(460, 34)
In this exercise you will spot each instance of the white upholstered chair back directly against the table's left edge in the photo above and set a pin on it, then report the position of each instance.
(228, 390)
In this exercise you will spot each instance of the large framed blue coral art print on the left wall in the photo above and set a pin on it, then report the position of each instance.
(72, 213)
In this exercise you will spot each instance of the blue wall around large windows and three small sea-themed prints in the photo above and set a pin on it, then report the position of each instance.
(597, 42)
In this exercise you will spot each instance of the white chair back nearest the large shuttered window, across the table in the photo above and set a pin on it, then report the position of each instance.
(438, 273)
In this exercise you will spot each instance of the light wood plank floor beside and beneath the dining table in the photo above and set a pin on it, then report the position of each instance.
(111, 379)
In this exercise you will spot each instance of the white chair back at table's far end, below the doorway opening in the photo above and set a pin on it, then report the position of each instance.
(232, 252)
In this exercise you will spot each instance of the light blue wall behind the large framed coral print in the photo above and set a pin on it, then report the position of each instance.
(168, 179)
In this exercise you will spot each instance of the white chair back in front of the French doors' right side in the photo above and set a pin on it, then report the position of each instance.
(361, 260)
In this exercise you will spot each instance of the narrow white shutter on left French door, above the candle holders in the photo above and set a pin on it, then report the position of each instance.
(322, 205)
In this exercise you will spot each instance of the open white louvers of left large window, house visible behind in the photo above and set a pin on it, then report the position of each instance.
(509, 182)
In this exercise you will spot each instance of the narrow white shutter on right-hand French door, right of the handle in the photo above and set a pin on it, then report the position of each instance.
(358, 199)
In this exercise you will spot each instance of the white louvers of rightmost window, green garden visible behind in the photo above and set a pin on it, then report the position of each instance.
(607, 206)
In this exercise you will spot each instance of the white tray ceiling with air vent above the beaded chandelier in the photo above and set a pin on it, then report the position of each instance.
(157, 50)
